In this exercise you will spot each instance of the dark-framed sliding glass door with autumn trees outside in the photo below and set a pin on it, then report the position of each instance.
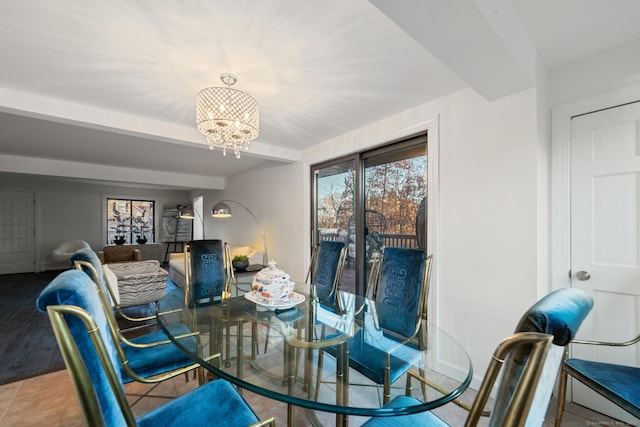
(372, 200)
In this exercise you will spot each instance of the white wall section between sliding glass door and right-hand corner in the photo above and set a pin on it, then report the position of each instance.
(487, 254)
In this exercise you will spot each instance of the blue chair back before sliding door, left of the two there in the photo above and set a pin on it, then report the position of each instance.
(327, 263)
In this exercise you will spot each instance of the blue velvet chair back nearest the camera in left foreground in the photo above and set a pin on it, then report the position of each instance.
(76, 289)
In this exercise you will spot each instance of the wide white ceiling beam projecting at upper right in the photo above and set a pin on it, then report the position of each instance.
(482, 41)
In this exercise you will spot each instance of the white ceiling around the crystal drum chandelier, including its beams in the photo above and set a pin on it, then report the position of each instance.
(114, 83)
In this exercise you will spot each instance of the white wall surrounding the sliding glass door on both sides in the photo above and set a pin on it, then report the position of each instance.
(487, 260)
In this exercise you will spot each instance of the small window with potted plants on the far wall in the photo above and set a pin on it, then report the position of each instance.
(130, 221)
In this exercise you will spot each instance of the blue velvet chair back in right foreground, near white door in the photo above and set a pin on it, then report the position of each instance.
(559, 313)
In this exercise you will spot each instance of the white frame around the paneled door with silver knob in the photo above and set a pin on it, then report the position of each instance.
(560, 229)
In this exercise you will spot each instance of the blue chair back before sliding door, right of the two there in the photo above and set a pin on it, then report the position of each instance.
(401, 284)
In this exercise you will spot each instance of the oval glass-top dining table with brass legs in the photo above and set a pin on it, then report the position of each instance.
(273, 351)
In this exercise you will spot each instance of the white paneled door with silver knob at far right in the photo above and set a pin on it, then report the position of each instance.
(605, 237)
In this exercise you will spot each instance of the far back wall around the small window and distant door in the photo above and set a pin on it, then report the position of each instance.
(70, 211)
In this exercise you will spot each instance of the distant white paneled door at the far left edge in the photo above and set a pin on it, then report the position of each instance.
(17, 225)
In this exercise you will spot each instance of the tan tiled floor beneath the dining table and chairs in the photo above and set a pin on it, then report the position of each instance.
(49, 400)
